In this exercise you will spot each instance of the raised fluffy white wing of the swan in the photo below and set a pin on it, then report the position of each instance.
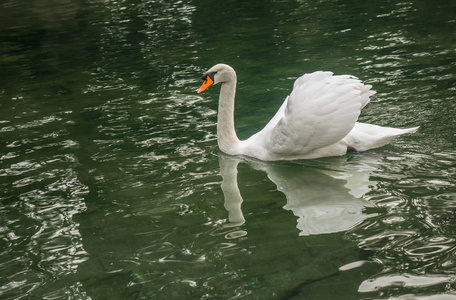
(320, 111)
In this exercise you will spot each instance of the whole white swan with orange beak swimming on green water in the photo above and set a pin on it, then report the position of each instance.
(317, 119)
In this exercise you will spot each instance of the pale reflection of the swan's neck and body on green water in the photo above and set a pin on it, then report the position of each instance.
(324, 201)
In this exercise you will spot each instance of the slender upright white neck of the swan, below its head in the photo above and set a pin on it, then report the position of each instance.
(226, 134)
